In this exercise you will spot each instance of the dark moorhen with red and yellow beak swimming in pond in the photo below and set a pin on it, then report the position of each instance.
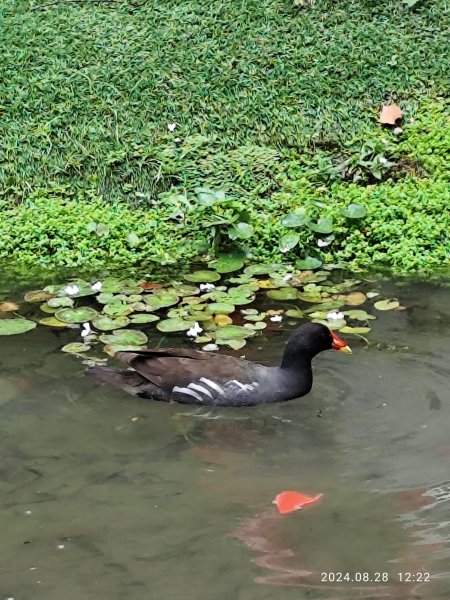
(211, 379)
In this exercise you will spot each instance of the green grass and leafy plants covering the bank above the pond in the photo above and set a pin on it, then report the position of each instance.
(138, 133)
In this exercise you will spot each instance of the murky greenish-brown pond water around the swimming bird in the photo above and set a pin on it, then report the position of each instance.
(108, 497)
